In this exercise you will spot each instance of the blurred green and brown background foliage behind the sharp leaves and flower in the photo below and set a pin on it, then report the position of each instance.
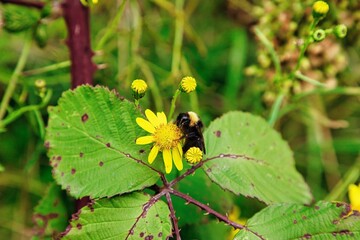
(233, 70)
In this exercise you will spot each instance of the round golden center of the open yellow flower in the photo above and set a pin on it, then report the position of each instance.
(167, 136)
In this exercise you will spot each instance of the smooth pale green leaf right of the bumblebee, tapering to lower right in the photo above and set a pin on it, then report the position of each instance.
(250, 158)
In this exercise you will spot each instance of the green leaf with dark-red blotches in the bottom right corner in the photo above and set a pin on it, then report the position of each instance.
(325, 220)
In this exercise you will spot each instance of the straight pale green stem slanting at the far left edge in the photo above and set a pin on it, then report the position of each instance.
(15, 76)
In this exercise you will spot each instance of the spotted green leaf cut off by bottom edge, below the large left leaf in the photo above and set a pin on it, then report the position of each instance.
(131, 216)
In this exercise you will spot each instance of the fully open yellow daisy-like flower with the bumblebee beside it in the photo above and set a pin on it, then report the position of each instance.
(166, 138)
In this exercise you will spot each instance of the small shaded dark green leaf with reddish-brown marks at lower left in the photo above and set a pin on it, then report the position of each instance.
(50, 215)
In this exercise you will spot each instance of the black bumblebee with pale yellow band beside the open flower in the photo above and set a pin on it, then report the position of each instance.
(191, 127)
